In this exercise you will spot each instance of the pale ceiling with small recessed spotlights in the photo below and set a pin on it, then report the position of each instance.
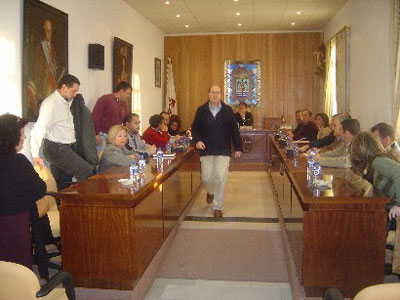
(221, 15)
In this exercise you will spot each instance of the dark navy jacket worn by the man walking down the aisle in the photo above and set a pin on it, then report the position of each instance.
(217, 133)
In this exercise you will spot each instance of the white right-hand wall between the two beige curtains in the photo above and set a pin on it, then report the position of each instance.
(369, 58)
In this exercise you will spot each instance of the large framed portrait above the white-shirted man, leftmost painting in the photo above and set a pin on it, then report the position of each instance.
(45, 54)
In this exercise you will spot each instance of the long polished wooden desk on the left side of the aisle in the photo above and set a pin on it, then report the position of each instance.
(110, 234)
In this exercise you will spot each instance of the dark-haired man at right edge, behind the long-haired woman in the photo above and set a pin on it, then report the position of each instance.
(385, 133)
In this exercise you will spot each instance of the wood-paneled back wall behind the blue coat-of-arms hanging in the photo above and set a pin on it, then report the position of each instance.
(288, 79)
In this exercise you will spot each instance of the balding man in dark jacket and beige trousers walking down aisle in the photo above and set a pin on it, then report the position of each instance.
(214, 130)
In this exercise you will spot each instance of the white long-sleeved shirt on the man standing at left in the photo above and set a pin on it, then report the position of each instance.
(55, 123)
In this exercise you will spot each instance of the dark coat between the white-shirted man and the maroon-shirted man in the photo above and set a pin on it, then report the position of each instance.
(84, 130)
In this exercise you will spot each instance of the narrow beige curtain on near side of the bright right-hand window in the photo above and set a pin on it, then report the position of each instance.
(341, 70)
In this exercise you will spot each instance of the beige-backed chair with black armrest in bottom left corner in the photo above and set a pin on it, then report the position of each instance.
(20, 283)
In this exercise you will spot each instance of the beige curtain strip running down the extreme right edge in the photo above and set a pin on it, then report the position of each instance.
(394, 49)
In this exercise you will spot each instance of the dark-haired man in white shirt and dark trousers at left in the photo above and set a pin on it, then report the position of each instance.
(56, 126)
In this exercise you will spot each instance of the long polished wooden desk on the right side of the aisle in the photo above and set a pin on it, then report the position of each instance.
(342, 240)
